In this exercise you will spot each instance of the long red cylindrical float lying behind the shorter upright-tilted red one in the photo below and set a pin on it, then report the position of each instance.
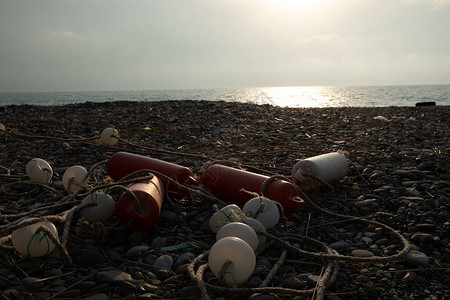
(121, 164)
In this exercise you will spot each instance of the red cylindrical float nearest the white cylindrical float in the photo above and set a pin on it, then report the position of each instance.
(228, 184)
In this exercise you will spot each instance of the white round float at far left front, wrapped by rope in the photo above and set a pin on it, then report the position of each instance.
(29, 243)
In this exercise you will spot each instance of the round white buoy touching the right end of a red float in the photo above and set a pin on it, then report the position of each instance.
(263, 210)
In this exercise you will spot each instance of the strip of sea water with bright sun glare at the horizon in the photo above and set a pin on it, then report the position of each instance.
(301, 96)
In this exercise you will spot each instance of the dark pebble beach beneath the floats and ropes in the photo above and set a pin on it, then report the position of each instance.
(399, 176)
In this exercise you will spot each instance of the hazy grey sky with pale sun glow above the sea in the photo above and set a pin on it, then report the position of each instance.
(72, 45)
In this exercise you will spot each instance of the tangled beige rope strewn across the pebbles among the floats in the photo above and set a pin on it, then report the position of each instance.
(67, 208)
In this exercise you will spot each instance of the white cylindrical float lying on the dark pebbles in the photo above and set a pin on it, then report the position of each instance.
(327, 167)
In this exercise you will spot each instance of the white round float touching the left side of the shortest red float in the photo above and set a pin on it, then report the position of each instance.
(101, 212)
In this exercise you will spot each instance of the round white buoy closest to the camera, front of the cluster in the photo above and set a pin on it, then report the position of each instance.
(239, 253)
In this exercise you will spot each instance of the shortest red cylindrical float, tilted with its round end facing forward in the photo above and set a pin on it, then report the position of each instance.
(150, 195)
